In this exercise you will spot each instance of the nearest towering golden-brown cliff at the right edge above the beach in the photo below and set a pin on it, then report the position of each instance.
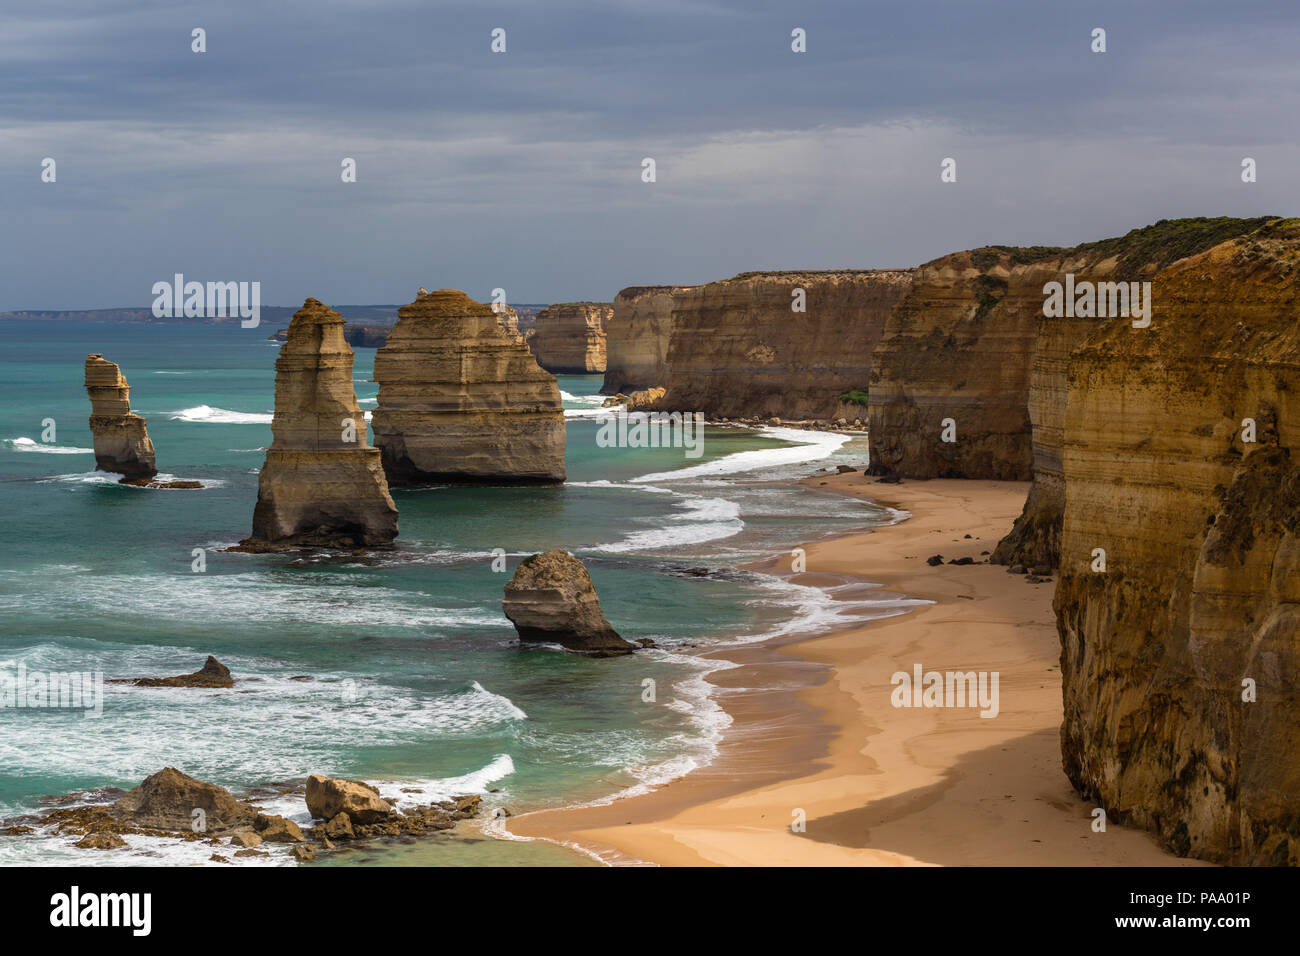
(1181, 661)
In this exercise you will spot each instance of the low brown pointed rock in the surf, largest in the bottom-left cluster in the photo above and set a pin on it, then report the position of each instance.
(168, 802)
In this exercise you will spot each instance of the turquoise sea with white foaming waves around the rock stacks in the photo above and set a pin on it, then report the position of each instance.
(400, 668)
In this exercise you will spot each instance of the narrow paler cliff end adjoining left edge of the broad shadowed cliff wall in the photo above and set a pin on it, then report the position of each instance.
(638, 339)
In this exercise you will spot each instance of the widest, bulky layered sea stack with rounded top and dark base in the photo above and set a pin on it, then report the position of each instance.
(462, 400)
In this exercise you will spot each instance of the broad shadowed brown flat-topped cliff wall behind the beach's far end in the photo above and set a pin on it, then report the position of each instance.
(739, 351)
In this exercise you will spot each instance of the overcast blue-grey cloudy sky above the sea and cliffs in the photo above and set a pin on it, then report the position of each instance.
(523, 170)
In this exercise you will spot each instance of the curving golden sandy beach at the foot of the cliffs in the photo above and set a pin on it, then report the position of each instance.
(817, 734)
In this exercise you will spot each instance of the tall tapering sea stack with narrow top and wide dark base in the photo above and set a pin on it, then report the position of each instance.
(323, 486)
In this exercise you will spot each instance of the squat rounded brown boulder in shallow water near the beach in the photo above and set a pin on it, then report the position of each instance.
(552, 600)
